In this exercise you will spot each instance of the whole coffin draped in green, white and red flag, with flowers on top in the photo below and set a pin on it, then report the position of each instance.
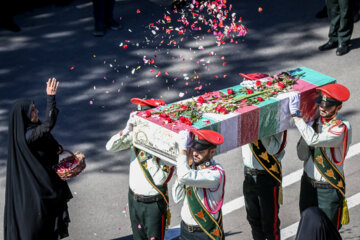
(242, 113)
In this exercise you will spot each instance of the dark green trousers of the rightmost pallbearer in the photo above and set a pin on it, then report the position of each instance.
(329, 200)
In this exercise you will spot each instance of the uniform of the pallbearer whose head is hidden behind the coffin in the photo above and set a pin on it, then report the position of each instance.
(261, 187)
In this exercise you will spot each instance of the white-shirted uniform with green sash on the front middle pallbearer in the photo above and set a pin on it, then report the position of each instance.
(201, 188)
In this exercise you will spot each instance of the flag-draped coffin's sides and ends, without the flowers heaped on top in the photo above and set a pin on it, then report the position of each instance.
(246, 124)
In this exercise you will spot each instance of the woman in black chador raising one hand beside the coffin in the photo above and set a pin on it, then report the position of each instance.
(36, 198)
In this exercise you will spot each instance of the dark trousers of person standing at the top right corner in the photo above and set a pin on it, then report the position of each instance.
(341, 20)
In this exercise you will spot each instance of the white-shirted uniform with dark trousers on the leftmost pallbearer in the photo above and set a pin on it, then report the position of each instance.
(148, 195)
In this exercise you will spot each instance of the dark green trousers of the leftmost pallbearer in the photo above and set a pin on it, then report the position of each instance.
(148, 220)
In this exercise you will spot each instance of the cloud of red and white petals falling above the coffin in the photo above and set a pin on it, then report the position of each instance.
(199, 20)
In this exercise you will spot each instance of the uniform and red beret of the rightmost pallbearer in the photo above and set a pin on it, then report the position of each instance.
(322, 147)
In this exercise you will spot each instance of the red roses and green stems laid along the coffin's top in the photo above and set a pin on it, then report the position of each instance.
(251, 92)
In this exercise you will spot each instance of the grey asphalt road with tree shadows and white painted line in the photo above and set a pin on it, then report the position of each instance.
(57, 42)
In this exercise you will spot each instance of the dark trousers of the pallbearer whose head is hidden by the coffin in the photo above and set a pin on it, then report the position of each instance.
(261, 194)
